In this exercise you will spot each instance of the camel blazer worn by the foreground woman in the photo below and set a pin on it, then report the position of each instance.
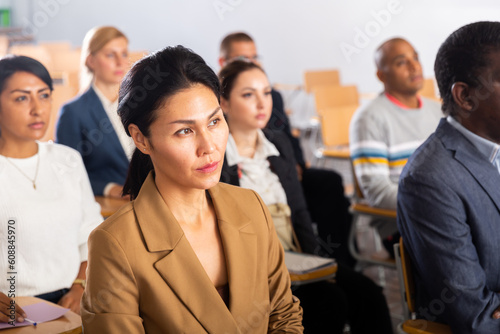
(144, 277)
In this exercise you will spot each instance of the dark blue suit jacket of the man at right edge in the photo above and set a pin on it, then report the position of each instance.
(449, 217)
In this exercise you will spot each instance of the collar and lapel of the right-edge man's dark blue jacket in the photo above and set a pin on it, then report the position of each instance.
(480, 168)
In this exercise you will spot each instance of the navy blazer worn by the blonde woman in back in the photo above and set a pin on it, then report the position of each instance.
(84, 126)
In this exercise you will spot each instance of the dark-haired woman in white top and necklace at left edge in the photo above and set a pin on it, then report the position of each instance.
(47, 209)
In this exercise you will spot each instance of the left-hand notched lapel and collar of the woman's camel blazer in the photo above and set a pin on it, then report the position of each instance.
(180, 267)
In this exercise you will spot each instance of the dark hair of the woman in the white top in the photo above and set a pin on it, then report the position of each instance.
(11, 64)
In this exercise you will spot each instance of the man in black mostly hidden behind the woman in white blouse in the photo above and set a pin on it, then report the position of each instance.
(323, 189)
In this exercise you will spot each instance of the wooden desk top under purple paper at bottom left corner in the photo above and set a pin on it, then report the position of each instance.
(69, 323)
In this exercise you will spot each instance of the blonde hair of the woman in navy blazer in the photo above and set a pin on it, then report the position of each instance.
(95, 39)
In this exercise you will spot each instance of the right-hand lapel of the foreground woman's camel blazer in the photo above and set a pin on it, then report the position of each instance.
(240, 247)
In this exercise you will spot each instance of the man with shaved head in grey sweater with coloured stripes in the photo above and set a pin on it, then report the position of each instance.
(386, 132)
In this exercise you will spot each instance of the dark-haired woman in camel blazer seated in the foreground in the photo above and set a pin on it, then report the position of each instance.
(187, 255)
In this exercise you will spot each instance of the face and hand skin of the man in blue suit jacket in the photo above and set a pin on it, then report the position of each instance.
(477, 108)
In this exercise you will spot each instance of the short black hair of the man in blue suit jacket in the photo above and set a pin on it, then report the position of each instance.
(462, 56)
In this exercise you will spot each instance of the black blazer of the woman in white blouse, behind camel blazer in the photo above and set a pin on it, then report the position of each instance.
(284, 167)
